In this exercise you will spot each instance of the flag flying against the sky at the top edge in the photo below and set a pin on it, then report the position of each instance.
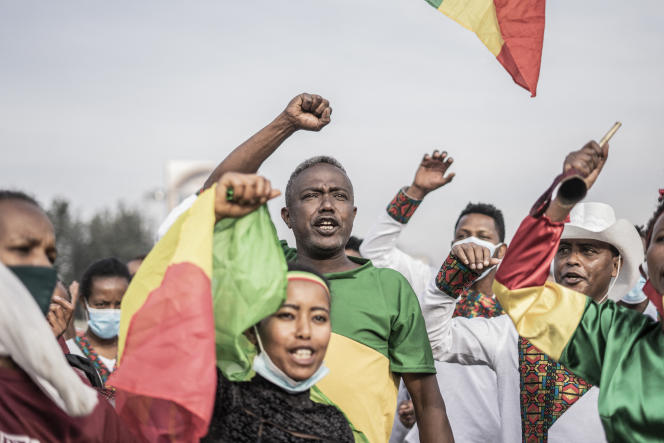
(513, 30)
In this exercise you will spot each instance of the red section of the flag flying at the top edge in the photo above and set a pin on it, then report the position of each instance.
(522, 27)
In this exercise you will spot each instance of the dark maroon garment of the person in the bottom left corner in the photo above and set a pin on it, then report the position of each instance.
(26, 411)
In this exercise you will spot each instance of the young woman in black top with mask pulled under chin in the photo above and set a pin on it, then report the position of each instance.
(275, 405)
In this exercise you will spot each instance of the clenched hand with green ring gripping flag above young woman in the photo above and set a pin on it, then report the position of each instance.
(239, 194)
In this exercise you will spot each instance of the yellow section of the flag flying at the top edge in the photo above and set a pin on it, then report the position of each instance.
(478, 16)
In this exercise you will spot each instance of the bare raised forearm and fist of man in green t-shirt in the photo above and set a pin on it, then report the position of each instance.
(310, 112)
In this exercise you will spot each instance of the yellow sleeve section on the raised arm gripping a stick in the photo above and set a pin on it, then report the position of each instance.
(546, 315)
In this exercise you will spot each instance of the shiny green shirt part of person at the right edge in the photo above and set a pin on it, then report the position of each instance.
(622, 352)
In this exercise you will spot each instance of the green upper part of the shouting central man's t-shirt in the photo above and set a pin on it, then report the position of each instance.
(378, 308)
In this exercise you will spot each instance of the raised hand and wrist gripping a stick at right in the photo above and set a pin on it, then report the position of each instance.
(589, 161)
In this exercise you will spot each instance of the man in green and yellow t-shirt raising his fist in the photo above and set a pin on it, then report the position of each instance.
(378, 329)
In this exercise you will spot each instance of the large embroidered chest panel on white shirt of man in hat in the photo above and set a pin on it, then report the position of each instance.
(548, 389)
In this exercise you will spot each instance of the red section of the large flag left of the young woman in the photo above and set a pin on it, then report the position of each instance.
(166, 381)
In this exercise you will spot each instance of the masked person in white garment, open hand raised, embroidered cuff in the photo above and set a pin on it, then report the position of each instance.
(469, 391)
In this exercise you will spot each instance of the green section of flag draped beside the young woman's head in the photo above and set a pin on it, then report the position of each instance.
(248, 284)
